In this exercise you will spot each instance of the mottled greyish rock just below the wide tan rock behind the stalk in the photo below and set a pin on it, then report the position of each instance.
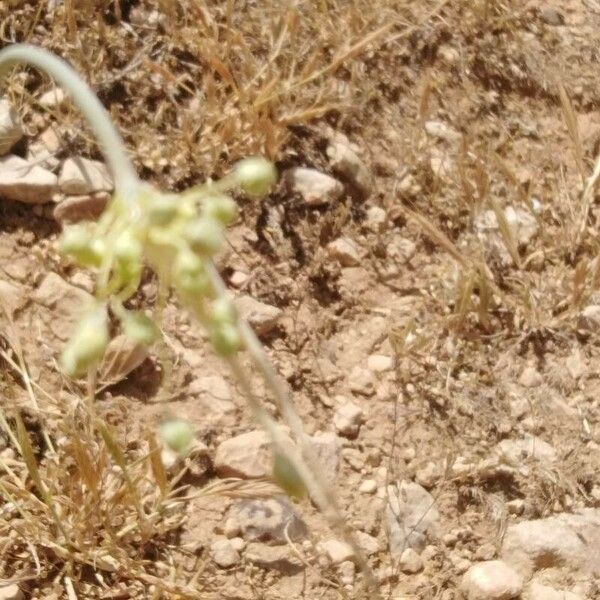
(270, 520)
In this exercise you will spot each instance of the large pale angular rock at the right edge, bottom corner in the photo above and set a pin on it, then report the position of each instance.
(565, 539)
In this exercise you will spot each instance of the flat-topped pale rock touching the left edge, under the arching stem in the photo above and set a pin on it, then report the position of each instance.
(21, 181)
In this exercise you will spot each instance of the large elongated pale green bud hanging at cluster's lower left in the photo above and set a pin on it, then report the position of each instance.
(88, 345)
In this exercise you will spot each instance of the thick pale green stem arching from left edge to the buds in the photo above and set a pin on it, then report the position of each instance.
(111, 143)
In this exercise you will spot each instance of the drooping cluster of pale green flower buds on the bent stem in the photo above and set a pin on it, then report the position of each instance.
(177, 235)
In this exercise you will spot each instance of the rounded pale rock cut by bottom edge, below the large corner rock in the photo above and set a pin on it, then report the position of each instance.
(491, 580)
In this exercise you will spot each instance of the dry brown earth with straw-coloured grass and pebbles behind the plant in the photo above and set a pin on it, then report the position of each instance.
(460, 313)
